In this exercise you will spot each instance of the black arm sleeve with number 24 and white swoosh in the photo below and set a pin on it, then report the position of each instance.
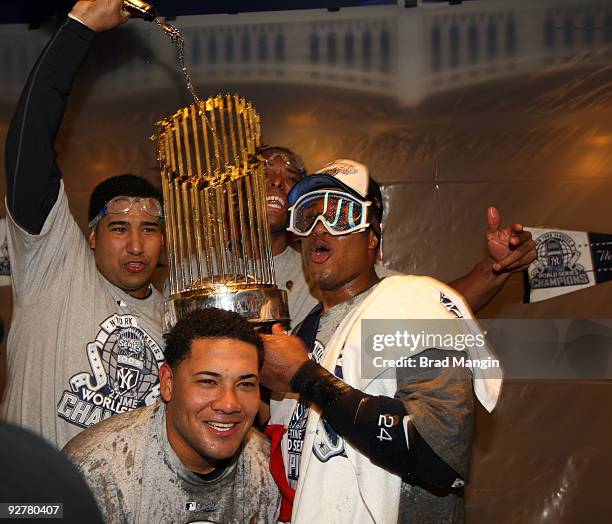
(379, 427)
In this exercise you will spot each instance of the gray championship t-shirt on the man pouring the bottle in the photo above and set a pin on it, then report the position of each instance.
(80, 349)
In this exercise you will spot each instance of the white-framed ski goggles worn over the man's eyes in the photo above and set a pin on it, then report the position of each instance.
(340, 213)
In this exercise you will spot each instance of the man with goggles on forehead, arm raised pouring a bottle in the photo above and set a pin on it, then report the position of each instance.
(86, 320)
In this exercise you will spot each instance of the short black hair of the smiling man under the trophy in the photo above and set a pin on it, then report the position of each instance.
(209, 323)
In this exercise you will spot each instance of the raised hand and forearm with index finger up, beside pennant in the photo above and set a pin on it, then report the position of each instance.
(510, 249)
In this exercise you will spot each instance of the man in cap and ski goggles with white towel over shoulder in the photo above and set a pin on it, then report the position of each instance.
(387, 448)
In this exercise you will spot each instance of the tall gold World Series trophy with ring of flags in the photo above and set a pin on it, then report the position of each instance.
(217, 231)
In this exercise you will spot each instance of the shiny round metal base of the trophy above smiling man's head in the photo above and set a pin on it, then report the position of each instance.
(264, 306)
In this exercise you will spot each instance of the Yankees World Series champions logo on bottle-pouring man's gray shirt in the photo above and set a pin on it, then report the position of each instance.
(124, 362)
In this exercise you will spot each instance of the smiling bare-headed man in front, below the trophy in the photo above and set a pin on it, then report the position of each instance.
(194, 457)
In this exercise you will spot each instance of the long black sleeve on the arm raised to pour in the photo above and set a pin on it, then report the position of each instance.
(32, 174)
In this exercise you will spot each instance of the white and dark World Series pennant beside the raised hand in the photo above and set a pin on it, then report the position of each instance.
(567, 261)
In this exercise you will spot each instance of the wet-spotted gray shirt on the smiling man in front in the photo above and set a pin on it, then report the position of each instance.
(136, 477)
